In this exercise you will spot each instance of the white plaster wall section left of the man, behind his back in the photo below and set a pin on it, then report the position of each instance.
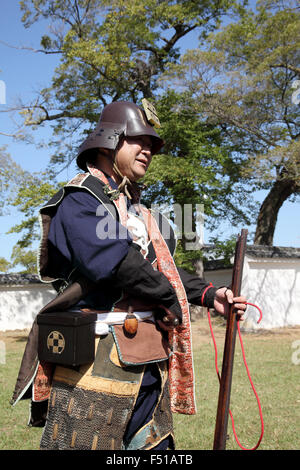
(20, 304)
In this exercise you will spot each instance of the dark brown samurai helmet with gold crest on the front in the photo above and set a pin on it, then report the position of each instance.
(121, 118)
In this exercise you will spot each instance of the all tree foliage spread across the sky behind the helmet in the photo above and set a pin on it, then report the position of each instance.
(226, 109)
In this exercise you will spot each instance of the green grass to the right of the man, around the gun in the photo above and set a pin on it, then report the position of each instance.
(276, 379)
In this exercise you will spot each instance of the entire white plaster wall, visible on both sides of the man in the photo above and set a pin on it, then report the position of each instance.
(272, 284)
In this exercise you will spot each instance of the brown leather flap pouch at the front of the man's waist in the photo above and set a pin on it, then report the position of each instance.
(147, 345)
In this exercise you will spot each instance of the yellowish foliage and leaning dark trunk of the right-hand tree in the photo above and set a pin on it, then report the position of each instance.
(243, 84)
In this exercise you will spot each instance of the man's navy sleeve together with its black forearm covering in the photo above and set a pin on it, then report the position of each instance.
(75, 231)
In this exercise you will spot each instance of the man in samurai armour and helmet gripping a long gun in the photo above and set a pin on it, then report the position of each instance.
(107, 254)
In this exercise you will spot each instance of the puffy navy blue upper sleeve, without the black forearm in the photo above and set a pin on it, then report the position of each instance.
(87, 238)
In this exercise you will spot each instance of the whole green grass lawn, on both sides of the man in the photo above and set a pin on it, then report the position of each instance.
(276, 378)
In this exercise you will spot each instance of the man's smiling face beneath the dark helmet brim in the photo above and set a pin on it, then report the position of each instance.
(134, 156)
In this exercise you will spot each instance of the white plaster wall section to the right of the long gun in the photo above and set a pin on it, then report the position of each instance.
(274, 286)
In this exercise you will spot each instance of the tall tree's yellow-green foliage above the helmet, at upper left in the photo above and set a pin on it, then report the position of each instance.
(108, 50)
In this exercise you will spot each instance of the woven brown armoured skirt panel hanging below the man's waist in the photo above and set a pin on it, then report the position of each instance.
(90, 406)
